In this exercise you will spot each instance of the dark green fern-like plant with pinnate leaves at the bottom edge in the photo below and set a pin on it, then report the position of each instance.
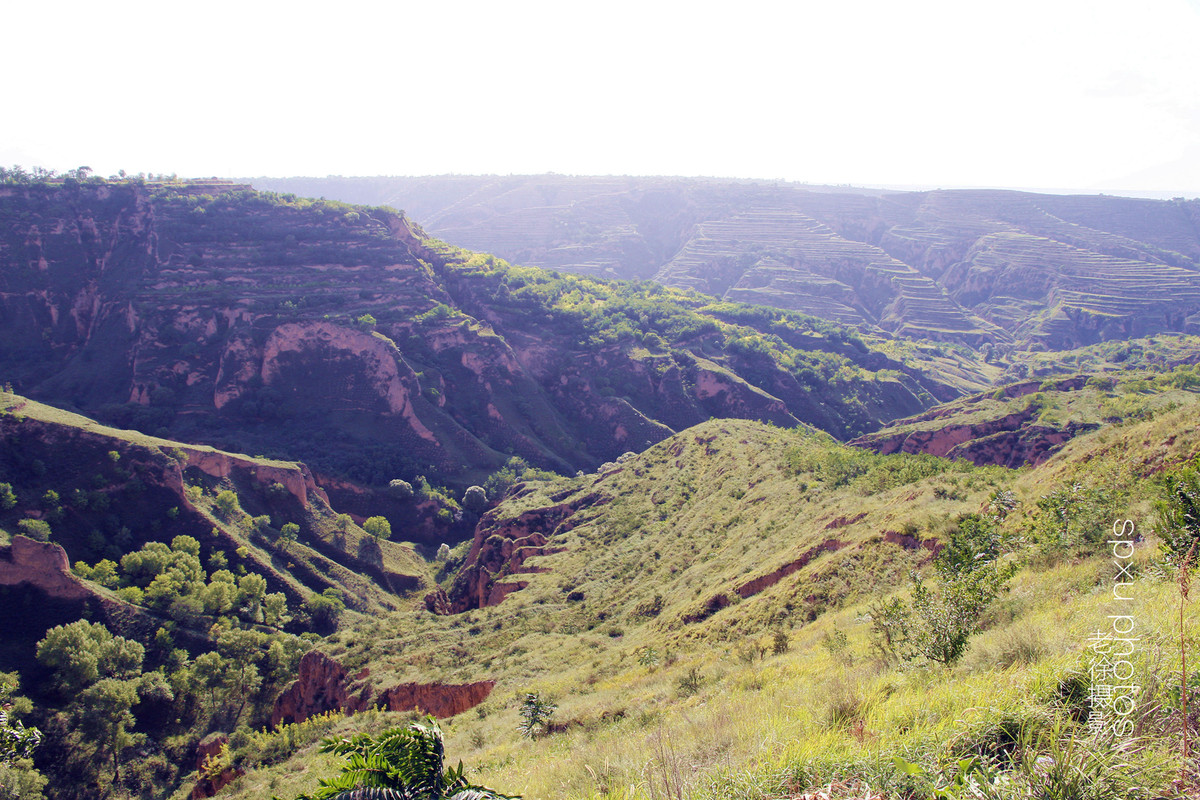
(401, 765)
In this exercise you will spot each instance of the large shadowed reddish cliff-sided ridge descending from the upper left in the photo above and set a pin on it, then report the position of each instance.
(346, 340)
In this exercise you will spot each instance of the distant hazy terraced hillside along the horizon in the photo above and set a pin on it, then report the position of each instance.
(1060, 272)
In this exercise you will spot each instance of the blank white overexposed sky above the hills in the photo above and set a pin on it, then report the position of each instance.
(1093, 95)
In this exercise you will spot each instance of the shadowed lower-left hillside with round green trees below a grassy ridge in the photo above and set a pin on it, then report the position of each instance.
(158, 591)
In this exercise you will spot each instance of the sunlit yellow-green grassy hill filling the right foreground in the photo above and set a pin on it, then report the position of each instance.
(709, 617)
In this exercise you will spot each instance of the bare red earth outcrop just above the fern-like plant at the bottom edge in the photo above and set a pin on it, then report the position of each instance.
(323, 685)
